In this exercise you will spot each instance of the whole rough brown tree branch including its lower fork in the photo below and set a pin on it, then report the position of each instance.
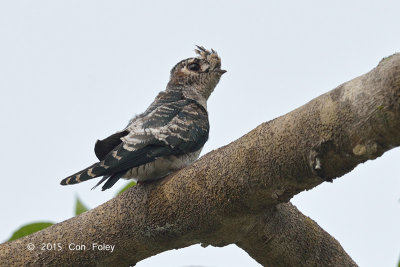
(239, 193)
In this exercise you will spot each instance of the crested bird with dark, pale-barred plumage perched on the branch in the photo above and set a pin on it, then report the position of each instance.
(168, 136)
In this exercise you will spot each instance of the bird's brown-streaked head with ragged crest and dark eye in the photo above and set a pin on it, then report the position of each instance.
(200, 73)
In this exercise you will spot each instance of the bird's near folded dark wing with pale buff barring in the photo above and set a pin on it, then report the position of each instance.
(173, 129)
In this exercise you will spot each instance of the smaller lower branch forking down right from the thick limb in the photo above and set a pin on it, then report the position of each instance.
(286, 237)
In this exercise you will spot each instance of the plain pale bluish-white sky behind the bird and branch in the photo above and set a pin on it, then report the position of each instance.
(72, 72)
